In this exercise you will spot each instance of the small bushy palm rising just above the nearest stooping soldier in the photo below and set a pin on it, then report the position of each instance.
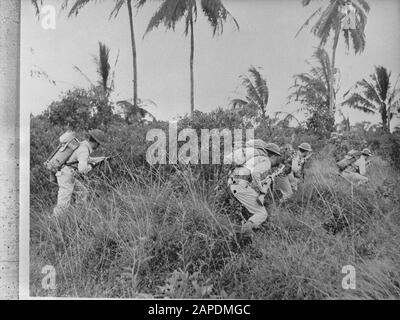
(257, 92)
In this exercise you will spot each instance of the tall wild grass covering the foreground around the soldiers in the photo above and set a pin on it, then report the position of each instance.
(148, 236)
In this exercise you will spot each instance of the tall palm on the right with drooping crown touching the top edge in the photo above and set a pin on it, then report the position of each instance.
(329, 21)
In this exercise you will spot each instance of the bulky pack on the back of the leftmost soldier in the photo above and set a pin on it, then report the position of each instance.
(68, 144)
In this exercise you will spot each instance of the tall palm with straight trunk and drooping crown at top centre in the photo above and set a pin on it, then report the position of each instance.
(171, 11)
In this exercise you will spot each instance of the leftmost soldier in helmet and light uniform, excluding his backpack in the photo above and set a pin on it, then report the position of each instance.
(79, 162)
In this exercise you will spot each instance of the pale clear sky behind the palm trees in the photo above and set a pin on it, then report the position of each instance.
(266, 39)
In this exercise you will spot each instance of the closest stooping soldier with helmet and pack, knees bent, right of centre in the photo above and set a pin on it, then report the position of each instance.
(251, 163)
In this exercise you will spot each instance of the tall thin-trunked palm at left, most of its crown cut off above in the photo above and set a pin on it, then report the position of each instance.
(79, 4)
